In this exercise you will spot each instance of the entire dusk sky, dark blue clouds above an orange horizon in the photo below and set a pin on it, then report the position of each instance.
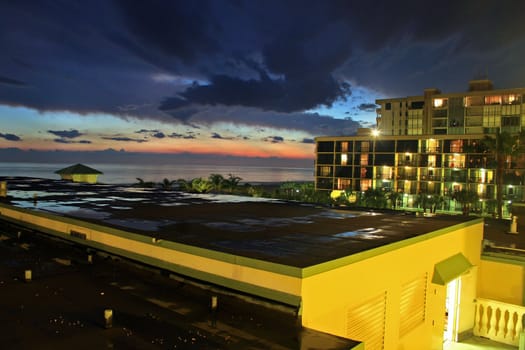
(243, 78)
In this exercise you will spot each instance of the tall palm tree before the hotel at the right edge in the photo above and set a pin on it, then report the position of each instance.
(503, 146)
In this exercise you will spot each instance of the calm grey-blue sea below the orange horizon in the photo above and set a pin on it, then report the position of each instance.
(126, 173)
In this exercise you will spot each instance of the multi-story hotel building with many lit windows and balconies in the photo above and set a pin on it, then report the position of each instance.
(429, 144)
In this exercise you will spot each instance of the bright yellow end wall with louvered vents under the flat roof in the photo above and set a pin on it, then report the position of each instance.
(328, 296)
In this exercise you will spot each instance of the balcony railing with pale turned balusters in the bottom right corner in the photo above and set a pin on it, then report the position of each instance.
(499, 321)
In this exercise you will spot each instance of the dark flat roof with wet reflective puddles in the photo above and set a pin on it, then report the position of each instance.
(277, 231)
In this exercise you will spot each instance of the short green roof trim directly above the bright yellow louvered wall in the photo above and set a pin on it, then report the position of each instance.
(367, 254)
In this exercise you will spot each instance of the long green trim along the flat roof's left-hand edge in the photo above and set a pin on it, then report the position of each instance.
(281, 269)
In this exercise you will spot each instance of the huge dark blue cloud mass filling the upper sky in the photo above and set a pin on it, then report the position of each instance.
(171, 60)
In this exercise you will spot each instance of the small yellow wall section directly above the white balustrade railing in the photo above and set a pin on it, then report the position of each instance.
(501, 281)
